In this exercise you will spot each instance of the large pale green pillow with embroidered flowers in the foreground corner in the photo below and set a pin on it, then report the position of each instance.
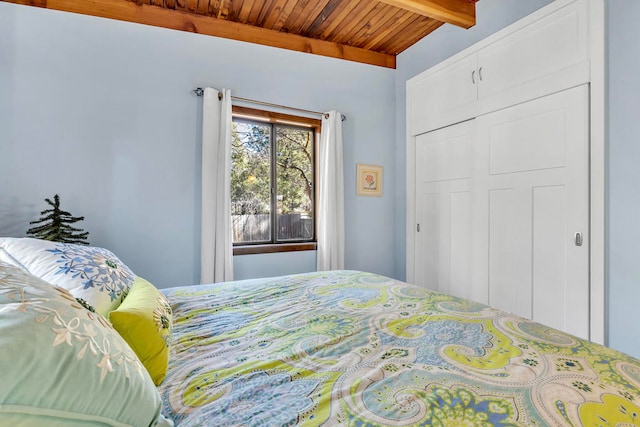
(61, 364)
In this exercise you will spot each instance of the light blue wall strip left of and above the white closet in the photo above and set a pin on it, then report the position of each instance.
(491, 16)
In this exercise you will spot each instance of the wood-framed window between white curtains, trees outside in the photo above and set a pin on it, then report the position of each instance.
(272, 181)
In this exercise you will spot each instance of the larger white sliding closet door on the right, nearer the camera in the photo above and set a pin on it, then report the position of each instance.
(530, 198)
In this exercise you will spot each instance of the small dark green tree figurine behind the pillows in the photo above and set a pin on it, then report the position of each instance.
(55, 225)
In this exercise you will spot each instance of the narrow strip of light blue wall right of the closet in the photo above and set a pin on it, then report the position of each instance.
(623, 167)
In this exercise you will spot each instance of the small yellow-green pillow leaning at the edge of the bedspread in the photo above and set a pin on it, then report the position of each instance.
(144, 320)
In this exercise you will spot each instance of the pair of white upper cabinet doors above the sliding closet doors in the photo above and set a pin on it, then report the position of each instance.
(547, 53)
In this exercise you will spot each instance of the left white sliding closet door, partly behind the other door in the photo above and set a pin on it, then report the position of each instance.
(444, 165)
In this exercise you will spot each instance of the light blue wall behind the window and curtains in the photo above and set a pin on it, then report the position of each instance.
(101, 111)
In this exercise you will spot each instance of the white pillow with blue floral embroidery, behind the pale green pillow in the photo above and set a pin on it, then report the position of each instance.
(94, 274)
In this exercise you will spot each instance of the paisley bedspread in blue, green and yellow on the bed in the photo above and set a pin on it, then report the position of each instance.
(358, 349)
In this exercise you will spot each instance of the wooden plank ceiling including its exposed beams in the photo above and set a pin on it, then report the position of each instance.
(367, 31)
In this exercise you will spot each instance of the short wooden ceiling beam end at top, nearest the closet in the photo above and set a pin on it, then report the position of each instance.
(461, 13)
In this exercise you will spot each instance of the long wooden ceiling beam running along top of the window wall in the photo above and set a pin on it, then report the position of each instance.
(130, 11)
